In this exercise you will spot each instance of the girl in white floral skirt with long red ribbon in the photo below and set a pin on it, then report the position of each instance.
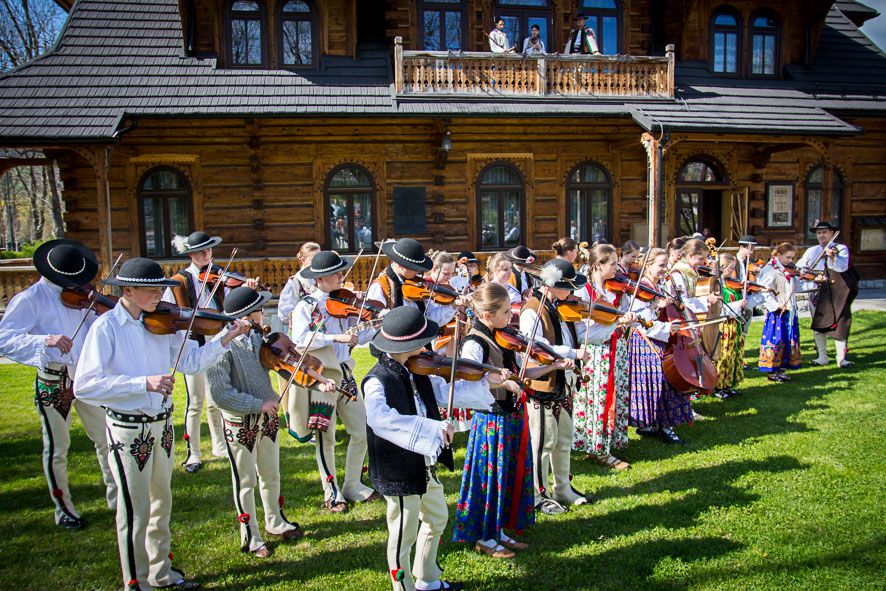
(601, 404)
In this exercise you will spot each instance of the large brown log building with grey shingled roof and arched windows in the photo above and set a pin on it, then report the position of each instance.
(275, 122)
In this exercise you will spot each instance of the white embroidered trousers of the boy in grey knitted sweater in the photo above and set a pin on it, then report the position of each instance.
(253, 447)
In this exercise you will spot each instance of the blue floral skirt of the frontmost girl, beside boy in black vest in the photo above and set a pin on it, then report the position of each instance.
(487, 482)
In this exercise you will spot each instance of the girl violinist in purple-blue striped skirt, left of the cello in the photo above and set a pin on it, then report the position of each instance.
(656, 406)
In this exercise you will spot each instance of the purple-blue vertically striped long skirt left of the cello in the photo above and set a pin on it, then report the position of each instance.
(655, 403)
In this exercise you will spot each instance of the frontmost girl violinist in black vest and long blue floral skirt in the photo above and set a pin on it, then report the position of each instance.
(496, 484)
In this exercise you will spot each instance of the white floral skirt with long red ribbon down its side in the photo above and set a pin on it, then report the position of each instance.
(592, 432)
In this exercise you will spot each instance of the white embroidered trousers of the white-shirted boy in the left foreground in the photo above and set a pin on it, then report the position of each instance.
(141, 456)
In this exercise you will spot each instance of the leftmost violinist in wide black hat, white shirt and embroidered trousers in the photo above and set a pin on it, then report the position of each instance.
(39, 331)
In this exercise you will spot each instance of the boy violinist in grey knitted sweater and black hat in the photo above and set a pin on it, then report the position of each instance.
(241, 388)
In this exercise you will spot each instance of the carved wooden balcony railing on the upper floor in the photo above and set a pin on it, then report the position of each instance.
(437, 73)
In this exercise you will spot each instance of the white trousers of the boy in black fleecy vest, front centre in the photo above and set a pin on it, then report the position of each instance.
(415, 520)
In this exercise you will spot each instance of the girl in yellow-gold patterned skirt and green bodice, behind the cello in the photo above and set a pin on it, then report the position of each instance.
(730, 365)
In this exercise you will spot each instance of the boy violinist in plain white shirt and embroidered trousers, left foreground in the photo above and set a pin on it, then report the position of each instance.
(126, 370)
